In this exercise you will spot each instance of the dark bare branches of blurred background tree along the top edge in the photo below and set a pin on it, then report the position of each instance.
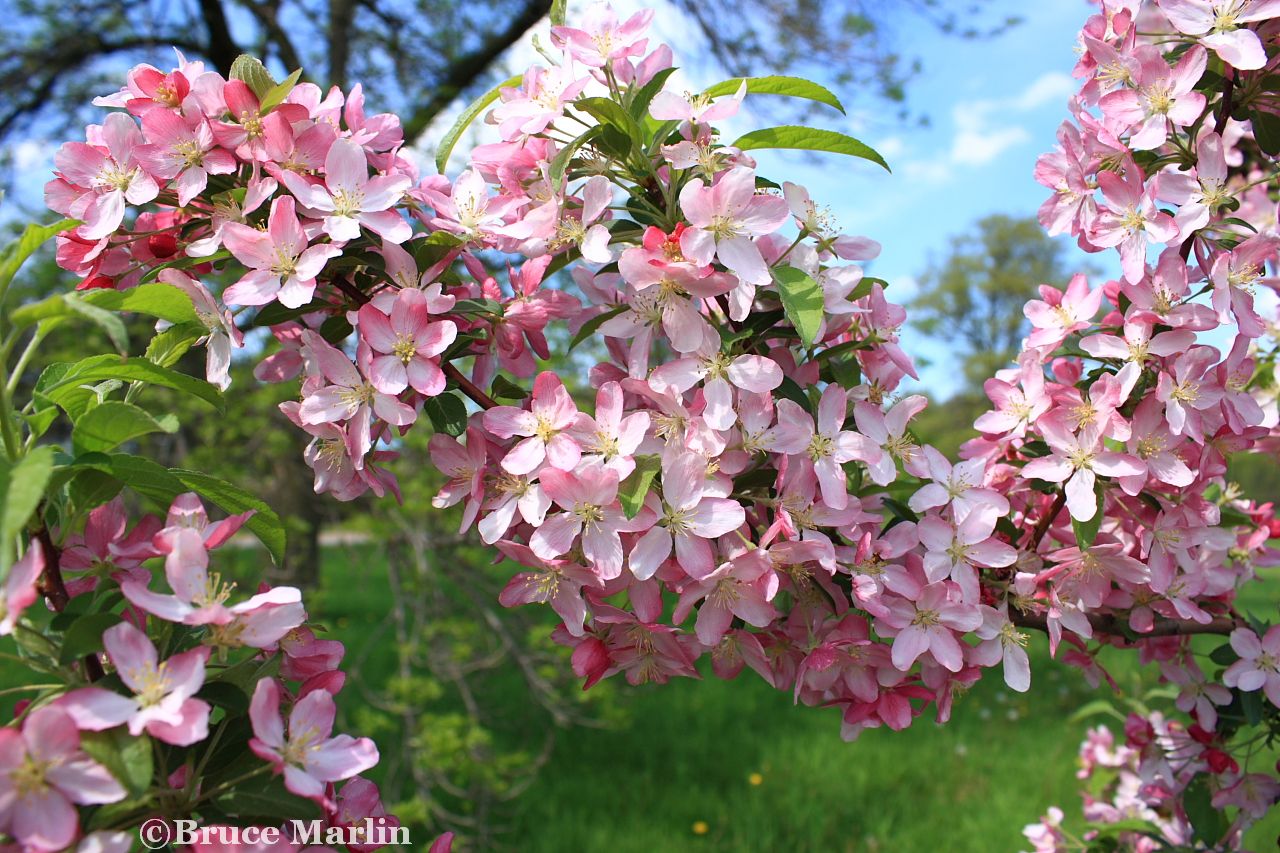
(417, 57)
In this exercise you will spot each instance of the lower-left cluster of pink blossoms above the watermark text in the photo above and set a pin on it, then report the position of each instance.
(181, 663)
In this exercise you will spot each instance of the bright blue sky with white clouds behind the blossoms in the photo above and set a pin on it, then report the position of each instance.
(994, 107)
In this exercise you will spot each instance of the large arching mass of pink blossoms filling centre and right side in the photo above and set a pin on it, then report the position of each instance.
(748, 458)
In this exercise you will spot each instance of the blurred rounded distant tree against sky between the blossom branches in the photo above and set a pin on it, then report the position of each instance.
(973, 298)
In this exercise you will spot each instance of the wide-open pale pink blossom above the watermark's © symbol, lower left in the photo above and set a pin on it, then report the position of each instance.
(163, 704)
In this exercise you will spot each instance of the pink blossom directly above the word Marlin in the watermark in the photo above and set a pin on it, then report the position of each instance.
(308, 756)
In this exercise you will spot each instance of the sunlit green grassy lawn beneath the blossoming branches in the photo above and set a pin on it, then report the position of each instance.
(735, 767)
